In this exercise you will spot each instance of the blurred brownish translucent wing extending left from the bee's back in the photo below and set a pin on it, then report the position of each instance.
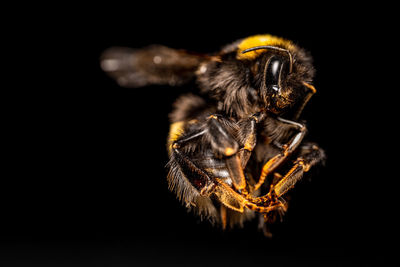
(155, 64)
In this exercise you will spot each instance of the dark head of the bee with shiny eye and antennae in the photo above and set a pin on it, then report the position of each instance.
(282, 78)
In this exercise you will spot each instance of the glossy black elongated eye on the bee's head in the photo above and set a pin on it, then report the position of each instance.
(273, 73)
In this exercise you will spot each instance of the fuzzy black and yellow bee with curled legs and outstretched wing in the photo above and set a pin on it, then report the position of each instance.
(236, 144)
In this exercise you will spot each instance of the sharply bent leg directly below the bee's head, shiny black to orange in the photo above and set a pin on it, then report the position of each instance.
(287, 149)
